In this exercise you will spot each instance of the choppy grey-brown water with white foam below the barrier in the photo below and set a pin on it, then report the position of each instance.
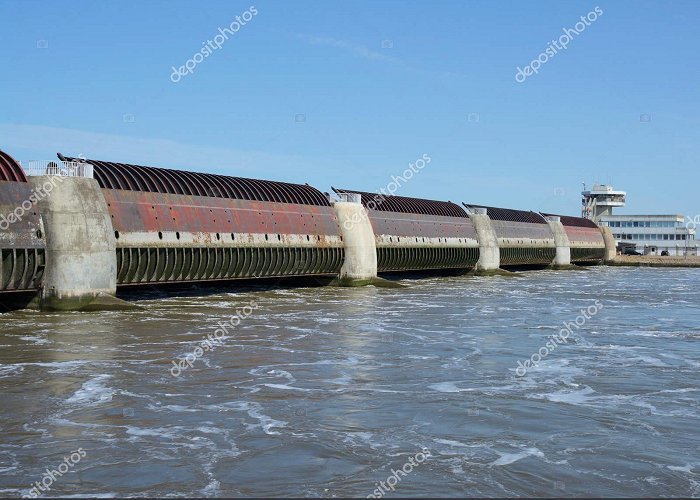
(323, 391)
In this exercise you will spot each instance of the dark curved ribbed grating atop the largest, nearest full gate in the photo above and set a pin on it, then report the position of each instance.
(128, 177)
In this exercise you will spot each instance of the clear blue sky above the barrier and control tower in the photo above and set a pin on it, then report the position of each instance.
(93, 78)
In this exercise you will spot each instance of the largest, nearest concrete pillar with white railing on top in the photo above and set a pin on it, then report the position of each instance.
(81, 261)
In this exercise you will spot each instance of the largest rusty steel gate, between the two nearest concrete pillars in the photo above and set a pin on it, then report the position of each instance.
(178, 226)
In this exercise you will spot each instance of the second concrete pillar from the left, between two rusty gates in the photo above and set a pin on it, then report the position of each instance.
(360, 266)
